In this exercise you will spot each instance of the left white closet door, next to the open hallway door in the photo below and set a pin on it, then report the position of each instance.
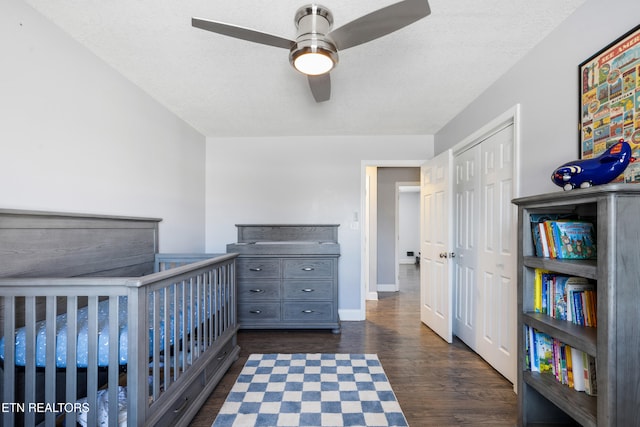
(466, 209)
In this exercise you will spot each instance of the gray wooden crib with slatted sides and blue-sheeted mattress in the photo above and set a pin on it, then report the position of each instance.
(95, 324)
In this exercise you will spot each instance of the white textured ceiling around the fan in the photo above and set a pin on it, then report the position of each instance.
(410, 82)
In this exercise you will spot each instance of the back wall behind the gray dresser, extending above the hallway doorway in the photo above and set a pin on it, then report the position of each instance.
(299, 180)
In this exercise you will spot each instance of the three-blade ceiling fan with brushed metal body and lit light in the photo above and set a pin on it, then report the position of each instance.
(314, 52)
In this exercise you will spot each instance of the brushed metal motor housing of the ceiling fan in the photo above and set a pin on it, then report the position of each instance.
(313, 22)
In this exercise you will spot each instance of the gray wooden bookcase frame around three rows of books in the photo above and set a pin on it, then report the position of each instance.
(542, 400)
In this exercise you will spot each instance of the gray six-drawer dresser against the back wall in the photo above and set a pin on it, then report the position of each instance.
(287, 276)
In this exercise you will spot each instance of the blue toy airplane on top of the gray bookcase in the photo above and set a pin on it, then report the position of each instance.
(599, 170)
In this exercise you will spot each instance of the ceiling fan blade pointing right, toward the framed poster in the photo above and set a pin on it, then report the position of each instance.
(380, 23)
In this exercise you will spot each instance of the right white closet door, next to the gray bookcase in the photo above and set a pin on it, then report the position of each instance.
(496, 258)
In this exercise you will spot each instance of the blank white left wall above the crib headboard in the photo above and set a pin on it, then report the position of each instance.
(76, 136)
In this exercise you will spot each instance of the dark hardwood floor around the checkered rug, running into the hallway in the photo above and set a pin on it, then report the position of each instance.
(437, 384)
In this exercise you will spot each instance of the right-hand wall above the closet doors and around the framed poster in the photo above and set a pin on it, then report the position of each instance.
(545, 83)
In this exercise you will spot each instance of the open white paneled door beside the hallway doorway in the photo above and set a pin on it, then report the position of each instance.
(435, 239)
